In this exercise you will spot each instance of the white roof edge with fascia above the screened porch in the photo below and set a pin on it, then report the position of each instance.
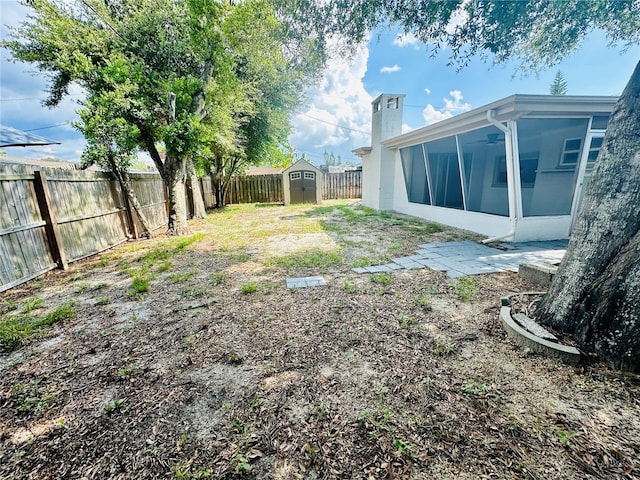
(509, 108)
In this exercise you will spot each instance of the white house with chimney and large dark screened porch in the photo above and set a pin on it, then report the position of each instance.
(512, 170)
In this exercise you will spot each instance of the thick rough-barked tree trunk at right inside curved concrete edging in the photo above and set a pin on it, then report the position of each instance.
(596, 293)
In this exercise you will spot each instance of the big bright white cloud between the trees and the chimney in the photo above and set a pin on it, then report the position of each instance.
(340, 100)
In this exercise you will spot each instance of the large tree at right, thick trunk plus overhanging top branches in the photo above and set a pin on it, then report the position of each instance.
(596, 294)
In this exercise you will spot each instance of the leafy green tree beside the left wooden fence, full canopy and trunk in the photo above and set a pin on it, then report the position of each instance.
(165, 64)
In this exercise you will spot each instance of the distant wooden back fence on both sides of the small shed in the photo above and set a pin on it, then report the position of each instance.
(268, 188)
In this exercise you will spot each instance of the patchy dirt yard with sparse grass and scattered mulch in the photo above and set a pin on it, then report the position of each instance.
(188, 358)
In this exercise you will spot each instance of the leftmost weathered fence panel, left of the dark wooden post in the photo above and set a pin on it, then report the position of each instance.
(24, 252)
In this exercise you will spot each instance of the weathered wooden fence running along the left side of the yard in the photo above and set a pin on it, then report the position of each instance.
(52, 216)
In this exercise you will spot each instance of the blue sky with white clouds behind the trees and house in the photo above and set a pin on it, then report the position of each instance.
(336, 116)
